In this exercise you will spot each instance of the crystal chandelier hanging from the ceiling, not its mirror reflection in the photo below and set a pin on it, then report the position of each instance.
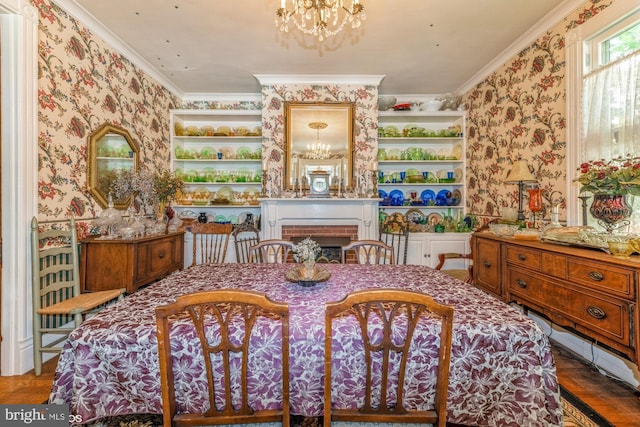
(321, 18)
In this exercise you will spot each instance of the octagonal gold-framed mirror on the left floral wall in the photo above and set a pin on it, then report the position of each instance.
(110, 150)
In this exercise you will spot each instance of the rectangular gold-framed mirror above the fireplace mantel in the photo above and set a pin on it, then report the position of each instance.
(319, 136)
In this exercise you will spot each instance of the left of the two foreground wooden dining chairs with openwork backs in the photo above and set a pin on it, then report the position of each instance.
(224, 321)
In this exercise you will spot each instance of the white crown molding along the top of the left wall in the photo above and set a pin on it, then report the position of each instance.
(118, 44)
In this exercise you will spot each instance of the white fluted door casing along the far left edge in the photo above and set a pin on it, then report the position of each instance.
(19, 38)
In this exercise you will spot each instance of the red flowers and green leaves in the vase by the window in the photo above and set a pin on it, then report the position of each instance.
(618, 176)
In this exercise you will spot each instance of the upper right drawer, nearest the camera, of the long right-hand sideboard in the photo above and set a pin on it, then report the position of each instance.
(602, 277)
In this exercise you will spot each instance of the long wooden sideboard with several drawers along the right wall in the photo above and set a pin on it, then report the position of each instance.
(586, 290)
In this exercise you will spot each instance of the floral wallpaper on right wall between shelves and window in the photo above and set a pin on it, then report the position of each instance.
(519, 112)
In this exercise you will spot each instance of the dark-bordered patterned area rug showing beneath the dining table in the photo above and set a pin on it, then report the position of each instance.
(576, 414)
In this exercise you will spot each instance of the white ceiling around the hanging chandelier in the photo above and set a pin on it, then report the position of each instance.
(420, 46)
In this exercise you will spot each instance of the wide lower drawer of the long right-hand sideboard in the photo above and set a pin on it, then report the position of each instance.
(608, 317)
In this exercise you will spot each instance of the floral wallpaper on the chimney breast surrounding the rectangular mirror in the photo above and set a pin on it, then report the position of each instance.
(273, 122)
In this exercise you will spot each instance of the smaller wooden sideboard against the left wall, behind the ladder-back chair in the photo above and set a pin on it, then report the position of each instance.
(119, 263)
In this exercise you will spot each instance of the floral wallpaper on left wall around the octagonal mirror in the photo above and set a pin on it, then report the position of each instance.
(82, 83)
